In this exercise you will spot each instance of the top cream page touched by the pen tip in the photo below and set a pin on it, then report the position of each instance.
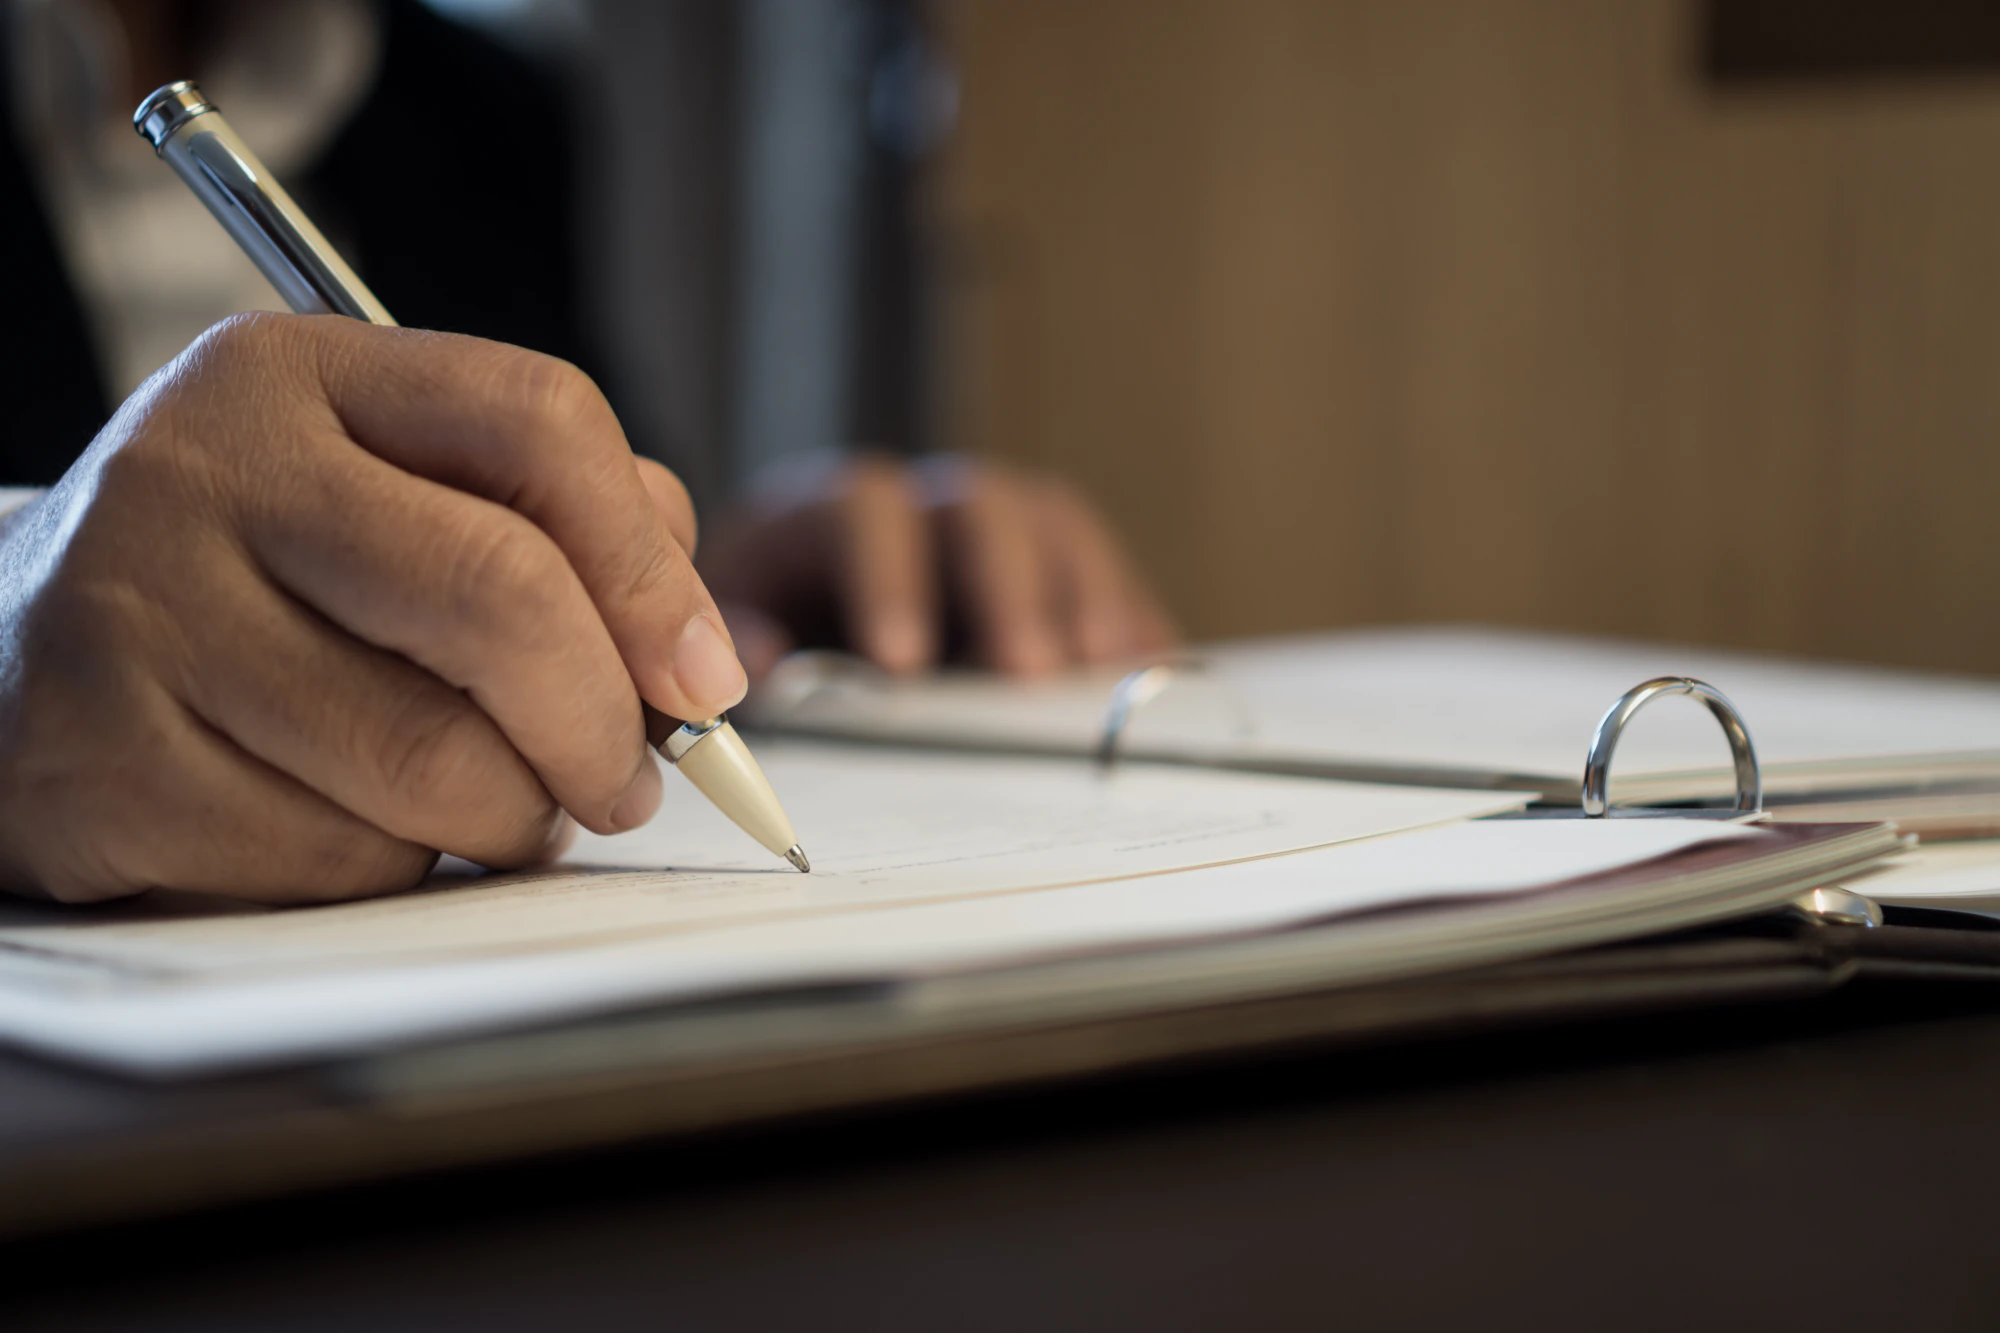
(883, 828)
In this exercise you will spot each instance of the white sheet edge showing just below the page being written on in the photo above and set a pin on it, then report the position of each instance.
(229, 1020)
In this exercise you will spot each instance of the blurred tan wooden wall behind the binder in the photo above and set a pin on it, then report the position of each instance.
(1359, 311)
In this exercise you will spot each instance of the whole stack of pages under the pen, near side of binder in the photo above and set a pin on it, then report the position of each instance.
(933, 872)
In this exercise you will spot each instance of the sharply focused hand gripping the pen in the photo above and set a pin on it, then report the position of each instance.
(325, 599)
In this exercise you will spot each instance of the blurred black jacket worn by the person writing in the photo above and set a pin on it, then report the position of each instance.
(449, 191)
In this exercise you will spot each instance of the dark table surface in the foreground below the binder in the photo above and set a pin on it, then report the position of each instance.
(1827, 1164)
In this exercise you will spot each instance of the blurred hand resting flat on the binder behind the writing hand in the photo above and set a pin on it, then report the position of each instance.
(897, 561)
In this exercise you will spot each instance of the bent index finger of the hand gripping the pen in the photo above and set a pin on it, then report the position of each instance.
(535, 433)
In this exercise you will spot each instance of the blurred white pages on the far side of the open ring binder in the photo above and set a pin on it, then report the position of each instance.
(1449, 700)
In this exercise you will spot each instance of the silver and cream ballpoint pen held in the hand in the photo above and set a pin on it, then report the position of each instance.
(193, 137)
